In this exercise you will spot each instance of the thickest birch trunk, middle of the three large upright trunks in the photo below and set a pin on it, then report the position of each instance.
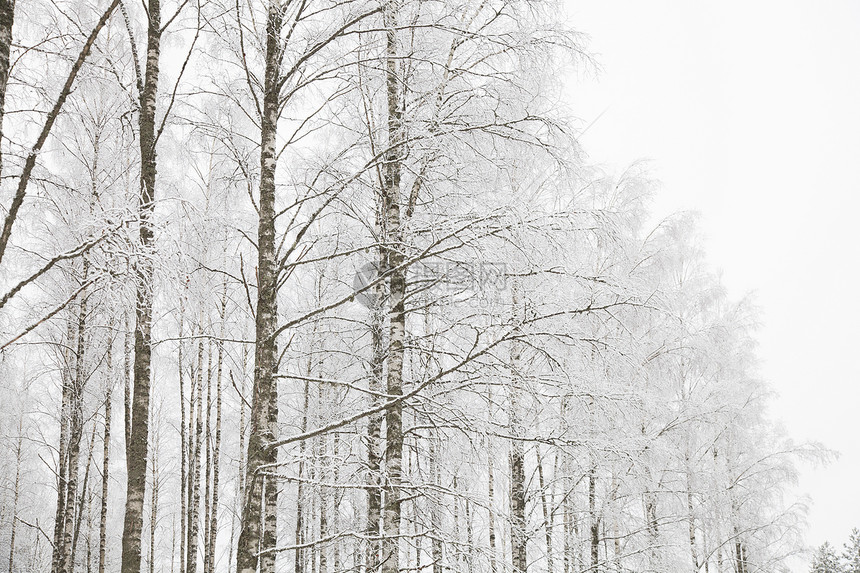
(264, 405)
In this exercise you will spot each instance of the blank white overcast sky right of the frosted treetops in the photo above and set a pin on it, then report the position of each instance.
(750, 111)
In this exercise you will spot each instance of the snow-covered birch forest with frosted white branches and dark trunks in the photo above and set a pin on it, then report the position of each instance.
(323, 286)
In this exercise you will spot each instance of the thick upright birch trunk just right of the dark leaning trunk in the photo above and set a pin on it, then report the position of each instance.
(138, 449)
